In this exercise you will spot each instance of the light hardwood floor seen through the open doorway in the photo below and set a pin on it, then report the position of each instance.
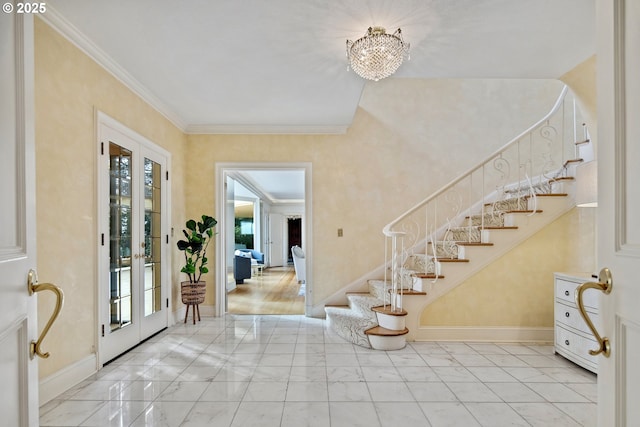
(276, 291)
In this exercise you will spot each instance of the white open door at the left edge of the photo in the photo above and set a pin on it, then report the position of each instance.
(18, 311)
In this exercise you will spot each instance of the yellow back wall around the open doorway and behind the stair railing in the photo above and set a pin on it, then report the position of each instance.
(408, 138)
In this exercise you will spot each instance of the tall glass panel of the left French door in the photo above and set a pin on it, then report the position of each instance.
(120, 274)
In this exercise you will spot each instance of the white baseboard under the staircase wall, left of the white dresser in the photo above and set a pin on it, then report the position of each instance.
(485, 334)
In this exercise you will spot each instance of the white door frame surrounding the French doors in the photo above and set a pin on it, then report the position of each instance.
(102, 212)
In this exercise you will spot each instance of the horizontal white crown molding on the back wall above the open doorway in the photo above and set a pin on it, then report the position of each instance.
(267, 129)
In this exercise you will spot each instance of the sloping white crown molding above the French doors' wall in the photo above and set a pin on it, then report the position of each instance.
(56, 21)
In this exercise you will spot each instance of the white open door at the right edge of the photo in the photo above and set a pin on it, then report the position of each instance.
(619, 208)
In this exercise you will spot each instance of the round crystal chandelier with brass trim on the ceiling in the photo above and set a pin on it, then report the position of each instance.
(377, 55)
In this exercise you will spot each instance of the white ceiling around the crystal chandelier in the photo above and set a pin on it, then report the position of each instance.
(279, 66)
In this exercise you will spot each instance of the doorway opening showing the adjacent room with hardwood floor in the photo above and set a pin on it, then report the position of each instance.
(263, 210)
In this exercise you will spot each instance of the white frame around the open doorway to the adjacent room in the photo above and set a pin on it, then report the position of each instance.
(221, 172)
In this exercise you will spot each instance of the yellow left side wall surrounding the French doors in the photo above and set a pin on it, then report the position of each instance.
(69, 87)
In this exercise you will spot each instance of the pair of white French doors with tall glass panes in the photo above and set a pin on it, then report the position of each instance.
(134, 300)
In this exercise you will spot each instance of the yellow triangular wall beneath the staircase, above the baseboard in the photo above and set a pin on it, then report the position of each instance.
(517, 289)
